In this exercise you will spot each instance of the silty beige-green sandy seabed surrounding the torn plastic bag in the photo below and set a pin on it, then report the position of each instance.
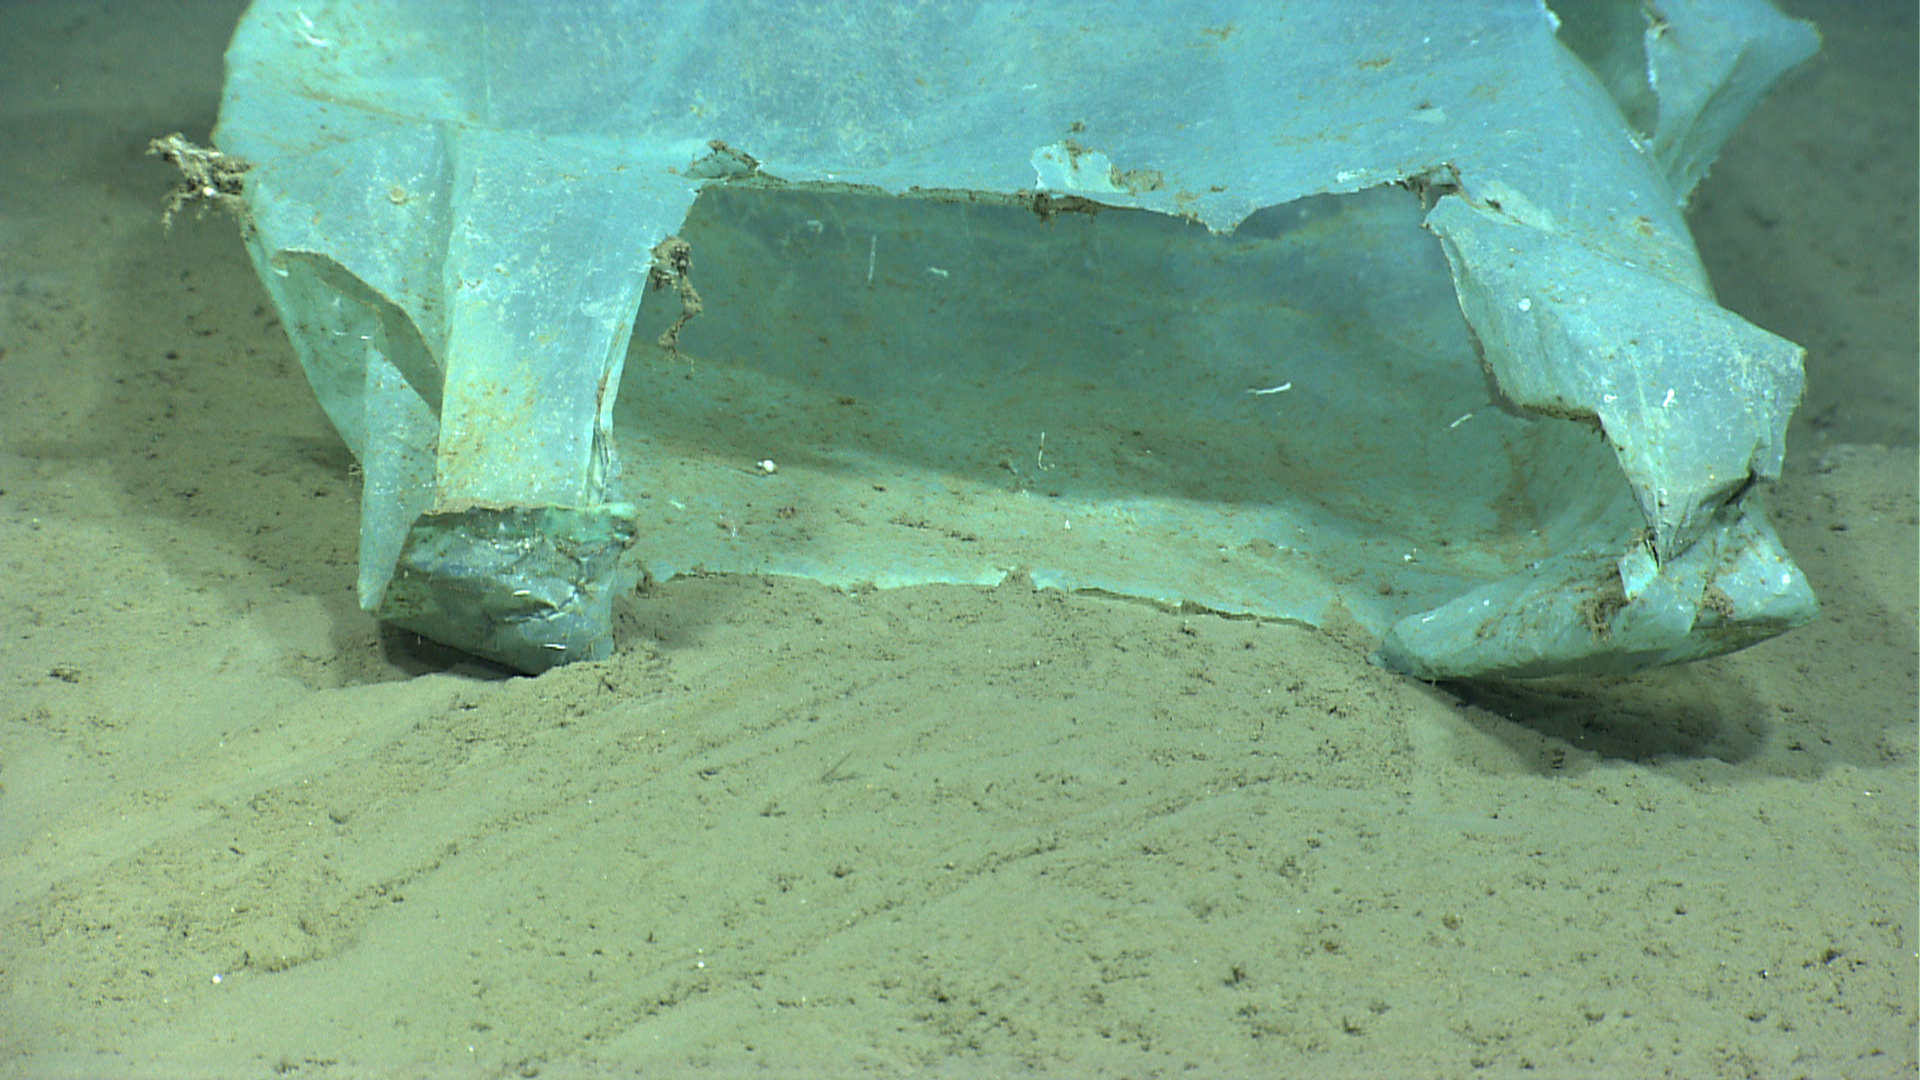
(936, 831)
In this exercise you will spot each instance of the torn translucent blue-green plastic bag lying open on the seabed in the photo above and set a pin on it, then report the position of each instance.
(1355, 314)
